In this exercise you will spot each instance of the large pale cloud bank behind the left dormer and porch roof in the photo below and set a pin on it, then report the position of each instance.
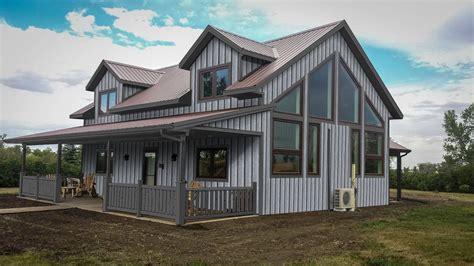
(64, 62)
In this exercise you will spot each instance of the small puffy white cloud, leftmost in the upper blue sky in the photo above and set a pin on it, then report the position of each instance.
(81, 24)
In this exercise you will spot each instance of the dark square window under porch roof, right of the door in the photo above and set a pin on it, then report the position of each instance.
(212, 163)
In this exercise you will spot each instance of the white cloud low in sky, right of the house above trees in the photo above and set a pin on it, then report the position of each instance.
(421, 129)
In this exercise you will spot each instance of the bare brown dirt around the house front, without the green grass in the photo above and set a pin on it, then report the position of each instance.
(274, 239)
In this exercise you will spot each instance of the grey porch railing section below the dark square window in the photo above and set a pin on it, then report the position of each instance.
(220, 202)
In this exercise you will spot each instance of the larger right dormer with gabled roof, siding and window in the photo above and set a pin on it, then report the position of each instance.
(219, 59)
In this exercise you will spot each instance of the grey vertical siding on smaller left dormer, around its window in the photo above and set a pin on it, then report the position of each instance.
(107, 82)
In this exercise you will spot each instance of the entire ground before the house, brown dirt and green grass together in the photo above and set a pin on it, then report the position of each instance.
(434, 228)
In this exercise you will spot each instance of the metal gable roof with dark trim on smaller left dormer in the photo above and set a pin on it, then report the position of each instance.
(126, 74)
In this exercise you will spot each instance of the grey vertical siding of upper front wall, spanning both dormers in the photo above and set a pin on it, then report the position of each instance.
(216, 53)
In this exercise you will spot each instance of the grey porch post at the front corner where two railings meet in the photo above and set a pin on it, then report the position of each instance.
(181, 184)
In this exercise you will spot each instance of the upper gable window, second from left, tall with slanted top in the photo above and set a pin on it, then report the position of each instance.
(320, 91)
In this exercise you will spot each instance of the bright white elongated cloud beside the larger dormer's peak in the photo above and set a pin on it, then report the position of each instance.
(140, 24)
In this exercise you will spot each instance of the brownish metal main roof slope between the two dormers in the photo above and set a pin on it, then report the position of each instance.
(171, 88)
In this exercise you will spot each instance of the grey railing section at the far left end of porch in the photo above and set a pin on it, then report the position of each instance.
(38, 187)
